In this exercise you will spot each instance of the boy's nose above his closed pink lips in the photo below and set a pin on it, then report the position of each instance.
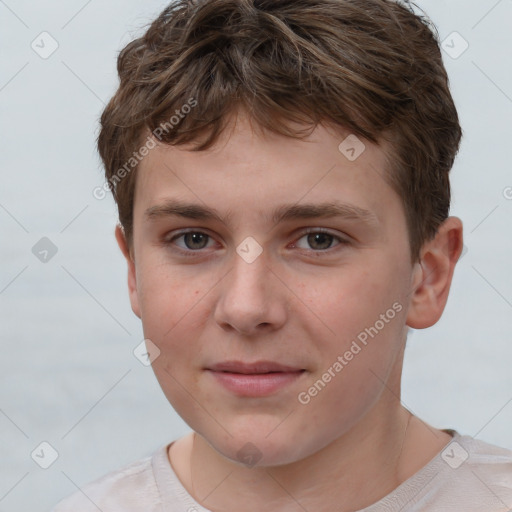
(252, 300)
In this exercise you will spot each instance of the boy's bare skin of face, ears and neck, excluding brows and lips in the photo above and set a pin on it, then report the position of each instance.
(299, 304)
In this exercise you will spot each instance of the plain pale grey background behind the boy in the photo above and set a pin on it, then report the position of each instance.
(67, 372)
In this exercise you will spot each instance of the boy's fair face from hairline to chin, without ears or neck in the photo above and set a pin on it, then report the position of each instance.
(270, 249)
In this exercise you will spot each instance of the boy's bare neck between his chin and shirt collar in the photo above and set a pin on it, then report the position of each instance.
(357, 469)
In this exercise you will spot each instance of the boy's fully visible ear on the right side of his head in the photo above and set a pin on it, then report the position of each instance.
(432, 275)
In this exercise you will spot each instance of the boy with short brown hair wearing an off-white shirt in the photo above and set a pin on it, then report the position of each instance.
(281, 173)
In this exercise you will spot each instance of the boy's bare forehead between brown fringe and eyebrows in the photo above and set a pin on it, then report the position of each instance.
(248, 170)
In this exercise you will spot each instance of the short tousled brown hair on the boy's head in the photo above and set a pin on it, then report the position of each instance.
(373, 67)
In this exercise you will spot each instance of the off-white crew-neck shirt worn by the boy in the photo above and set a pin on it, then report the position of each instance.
(467, 475)
